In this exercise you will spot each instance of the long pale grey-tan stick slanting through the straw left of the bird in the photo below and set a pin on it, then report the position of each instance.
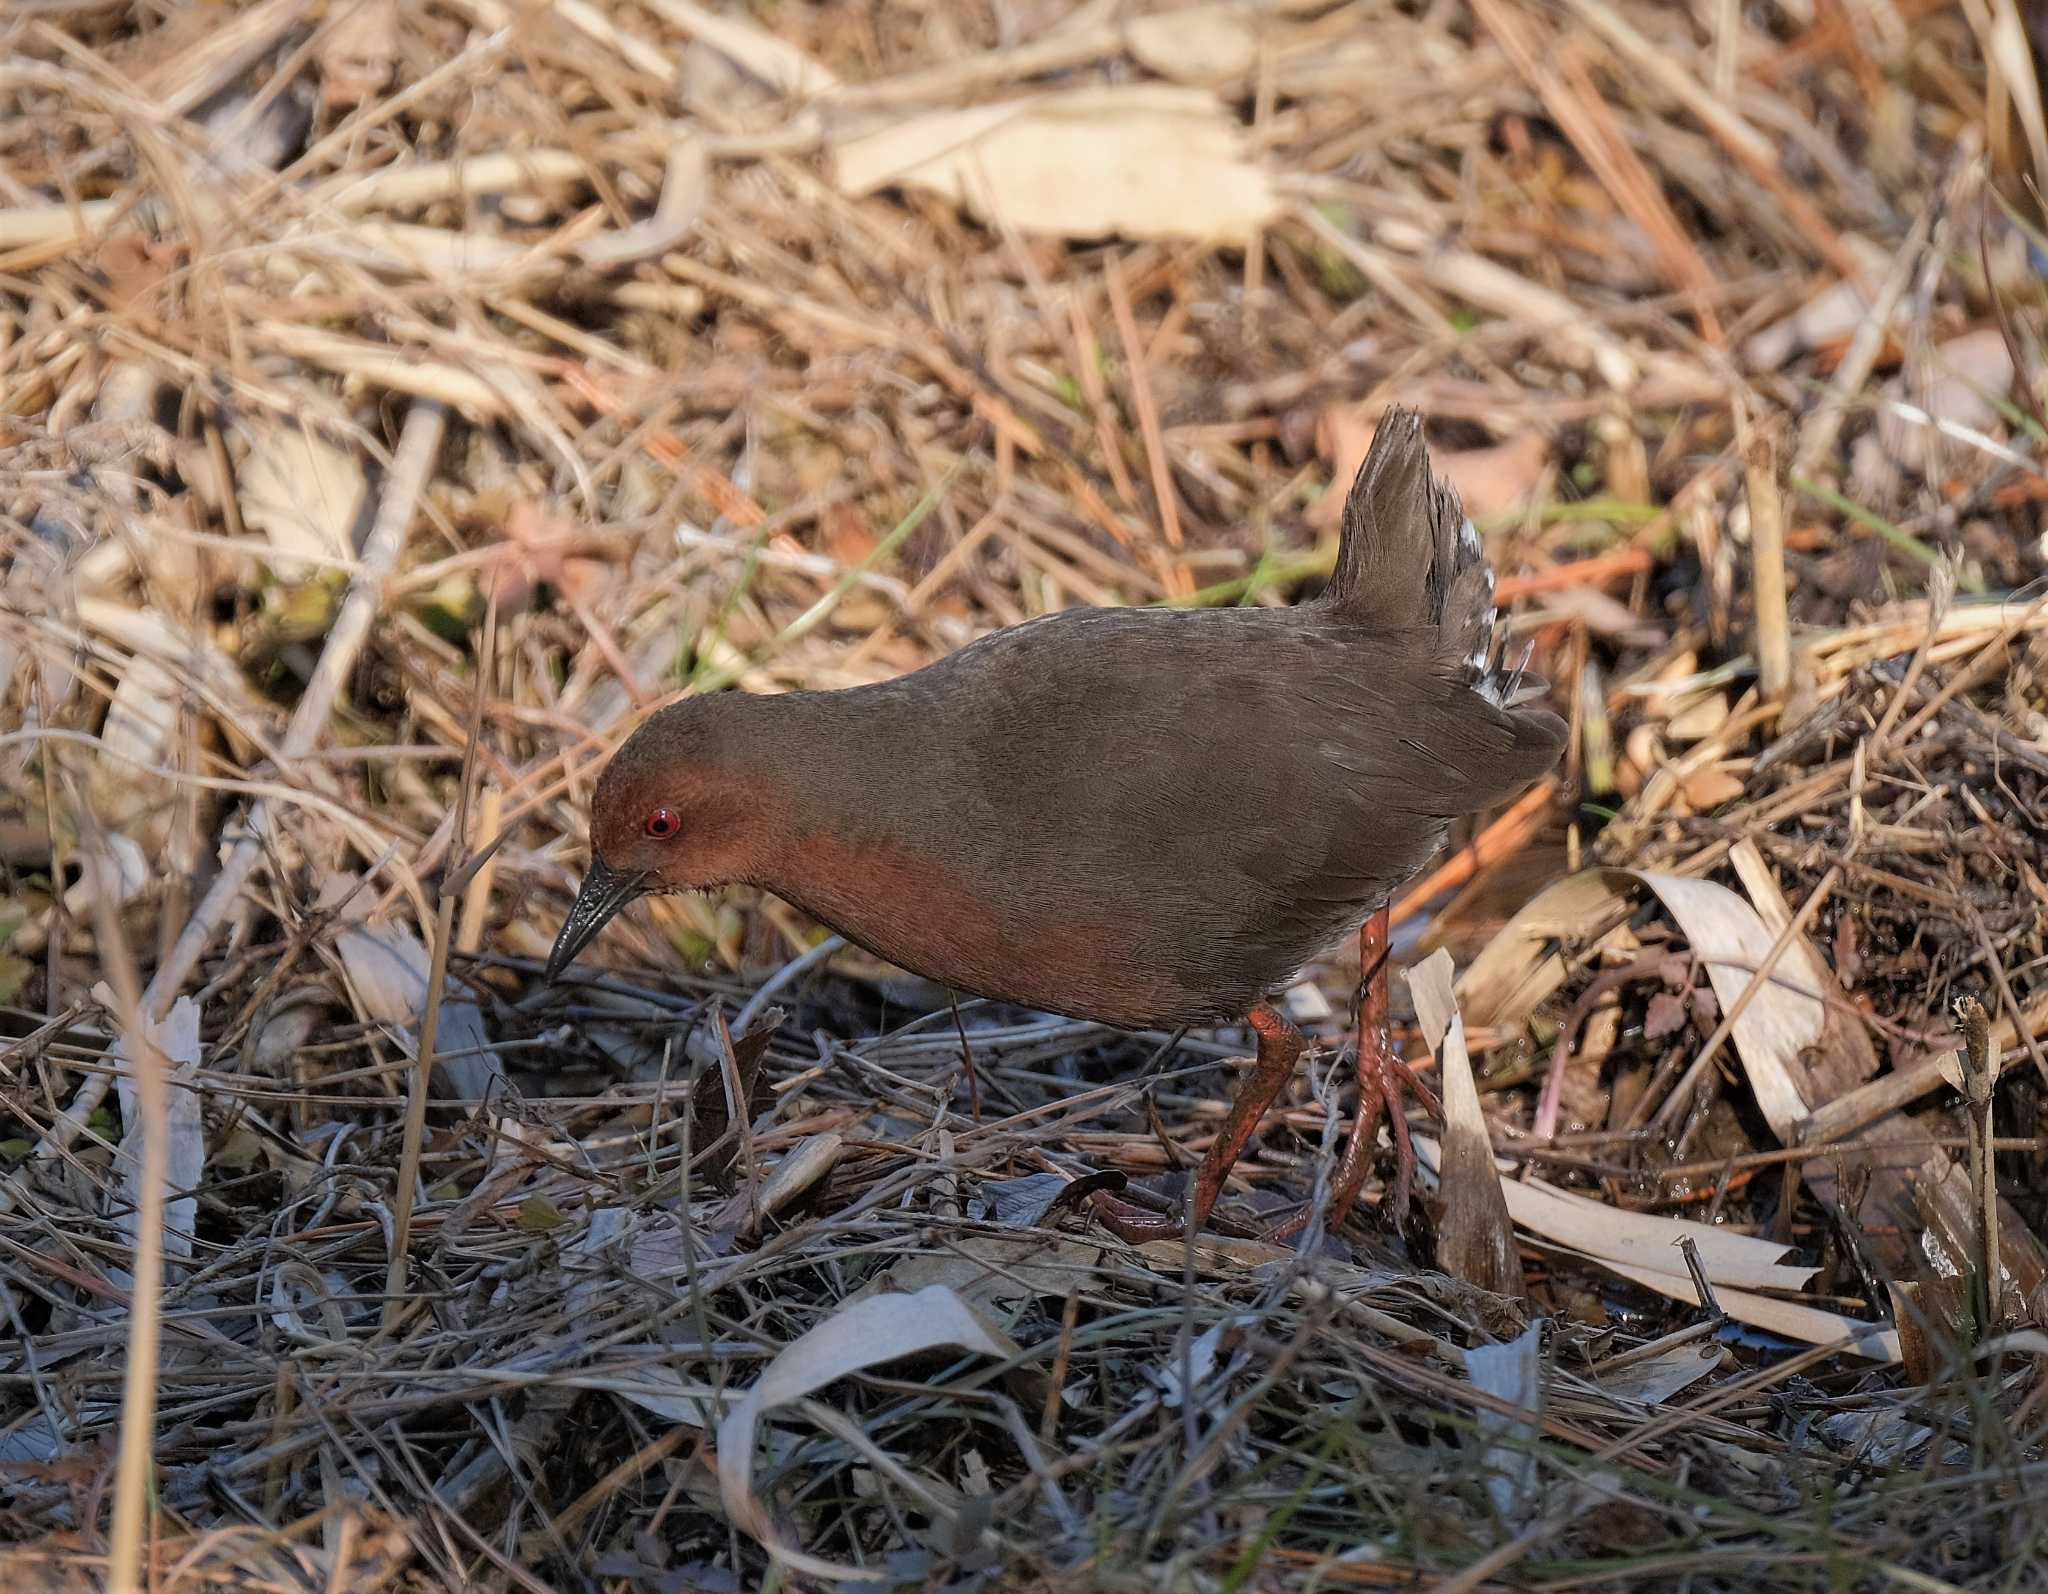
(411, 466)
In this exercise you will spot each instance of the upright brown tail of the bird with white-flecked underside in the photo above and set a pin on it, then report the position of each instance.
(1410, 560)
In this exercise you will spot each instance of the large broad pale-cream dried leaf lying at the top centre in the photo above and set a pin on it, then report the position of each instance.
(1138, 161)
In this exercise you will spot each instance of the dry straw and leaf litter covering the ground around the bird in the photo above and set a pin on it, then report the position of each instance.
(339, 337)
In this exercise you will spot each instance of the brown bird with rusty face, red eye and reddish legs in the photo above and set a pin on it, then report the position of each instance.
(1152, 819)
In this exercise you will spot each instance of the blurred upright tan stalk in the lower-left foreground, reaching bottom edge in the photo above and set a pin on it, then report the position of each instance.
(146, 1284)
